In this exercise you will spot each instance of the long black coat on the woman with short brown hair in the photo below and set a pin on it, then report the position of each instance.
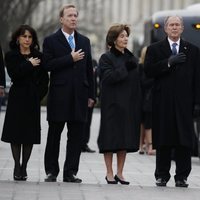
(120, 103)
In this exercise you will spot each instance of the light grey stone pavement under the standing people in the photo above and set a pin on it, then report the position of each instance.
(139, 170)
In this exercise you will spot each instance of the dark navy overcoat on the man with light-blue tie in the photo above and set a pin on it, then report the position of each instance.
(71, 83)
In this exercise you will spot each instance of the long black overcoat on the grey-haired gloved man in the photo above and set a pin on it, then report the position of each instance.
(176, 90)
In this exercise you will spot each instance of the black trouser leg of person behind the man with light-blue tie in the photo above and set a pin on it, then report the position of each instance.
(86, 130)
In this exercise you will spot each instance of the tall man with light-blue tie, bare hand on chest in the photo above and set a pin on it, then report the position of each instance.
(67, 56)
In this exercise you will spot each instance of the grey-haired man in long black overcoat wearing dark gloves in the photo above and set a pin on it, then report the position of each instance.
(174, 65)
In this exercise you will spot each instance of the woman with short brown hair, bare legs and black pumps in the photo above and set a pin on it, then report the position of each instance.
(120, 102)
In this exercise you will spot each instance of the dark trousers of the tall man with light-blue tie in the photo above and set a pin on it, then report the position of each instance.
(73, 148)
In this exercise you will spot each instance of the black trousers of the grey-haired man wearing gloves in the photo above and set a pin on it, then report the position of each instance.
(182, 158)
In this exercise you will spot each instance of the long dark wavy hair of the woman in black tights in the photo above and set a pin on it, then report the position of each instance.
(20, 31)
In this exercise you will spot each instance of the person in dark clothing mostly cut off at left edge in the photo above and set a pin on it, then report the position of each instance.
(2, 78)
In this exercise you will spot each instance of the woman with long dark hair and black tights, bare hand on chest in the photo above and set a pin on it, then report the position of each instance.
(29, 85)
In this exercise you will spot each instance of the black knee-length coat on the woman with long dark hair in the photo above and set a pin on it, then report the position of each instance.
(29, 86)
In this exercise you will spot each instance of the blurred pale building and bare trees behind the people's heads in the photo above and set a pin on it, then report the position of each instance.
(95, 17)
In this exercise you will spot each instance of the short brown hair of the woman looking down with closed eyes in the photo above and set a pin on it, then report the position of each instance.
(114, 32)
